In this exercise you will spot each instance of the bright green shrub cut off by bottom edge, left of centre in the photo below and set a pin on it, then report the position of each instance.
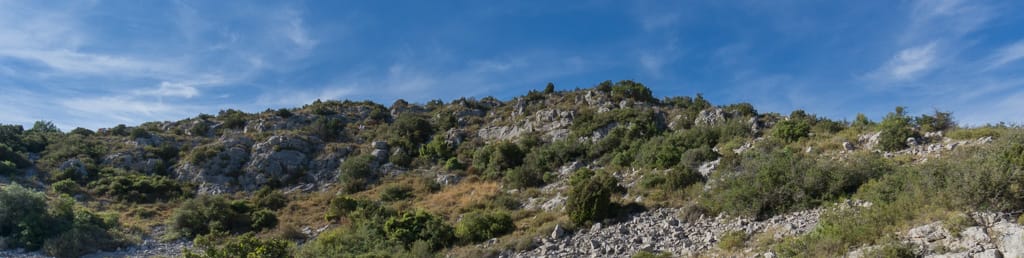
(223, 246)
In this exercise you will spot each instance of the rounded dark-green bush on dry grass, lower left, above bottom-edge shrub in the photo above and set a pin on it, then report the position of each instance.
(209, 213)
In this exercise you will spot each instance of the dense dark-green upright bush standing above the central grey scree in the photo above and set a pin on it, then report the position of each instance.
(590, 196)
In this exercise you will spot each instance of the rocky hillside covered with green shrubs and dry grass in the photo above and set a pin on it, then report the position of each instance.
(610, 171)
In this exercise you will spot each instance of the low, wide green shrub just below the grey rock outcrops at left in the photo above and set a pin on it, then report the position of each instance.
(141, 189)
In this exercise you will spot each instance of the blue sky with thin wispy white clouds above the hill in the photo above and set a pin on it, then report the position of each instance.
(99, 64)
